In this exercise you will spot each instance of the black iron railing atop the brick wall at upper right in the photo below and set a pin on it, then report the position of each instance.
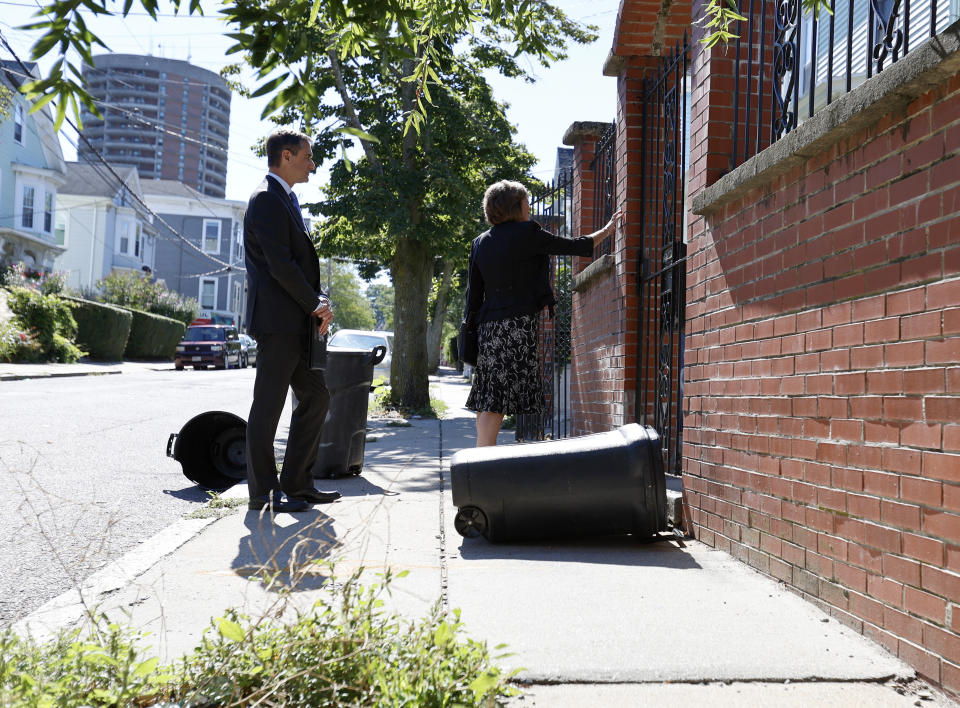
(790, 62)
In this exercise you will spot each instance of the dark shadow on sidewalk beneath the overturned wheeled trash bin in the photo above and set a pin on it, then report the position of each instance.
(607, 550)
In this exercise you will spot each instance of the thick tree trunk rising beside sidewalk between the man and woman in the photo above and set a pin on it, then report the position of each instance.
(412, 271)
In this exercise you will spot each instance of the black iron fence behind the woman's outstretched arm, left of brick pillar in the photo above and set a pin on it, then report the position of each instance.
(552, 206)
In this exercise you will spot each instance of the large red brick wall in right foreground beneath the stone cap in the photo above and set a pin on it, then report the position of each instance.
(822, 435)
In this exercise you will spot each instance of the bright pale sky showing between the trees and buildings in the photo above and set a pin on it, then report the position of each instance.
(572, 90)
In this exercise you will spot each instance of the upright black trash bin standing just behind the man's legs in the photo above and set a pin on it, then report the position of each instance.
(349, 374)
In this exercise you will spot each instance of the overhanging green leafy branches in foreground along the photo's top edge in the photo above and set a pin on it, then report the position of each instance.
(268, 33)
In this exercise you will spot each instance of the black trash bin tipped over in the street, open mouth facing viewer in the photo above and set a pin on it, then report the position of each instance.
(212, 449)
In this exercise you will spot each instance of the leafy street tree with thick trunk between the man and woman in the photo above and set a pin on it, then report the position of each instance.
(412, 203)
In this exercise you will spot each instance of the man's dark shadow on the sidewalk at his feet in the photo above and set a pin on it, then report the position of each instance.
(286, 552)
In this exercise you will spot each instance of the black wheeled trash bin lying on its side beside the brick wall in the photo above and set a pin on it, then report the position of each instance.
(601, 484)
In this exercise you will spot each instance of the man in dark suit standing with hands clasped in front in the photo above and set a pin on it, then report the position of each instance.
(283, 282)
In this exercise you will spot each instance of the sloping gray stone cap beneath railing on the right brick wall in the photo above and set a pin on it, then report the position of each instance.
(926, 67)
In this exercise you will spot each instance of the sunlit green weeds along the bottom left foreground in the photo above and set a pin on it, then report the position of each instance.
(345, 651)
